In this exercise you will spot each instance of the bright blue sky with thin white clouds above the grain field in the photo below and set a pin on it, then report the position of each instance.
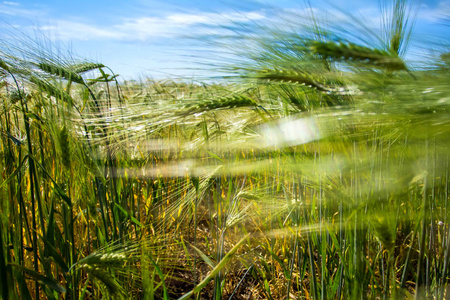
(139, 38)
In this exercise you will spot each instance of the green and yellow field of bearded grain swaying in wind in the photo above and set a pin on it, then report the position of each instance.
(319, 169)
